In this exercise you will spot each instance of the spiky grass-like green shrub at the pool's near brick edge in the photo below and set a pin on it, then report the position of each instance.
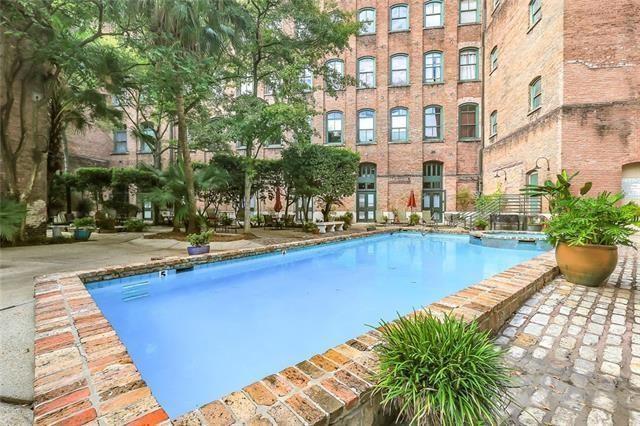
(441, 372)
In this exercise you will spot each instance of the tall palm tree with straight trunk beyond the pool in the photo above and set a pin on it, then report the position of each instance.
(183, 43)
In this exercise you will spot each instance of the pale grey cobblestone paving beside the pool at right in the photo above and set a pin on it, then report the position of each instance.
(576, 352)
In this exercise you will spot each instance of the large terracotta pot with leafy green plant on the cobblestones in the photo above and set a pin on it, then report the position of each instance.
(586, 233)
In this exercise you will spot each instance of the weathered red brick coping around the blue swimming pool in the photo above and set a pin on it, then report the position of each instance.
(83, 373)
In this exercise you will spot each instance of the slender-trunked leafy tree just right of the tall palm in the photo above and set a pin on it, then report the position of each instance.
(282, 39)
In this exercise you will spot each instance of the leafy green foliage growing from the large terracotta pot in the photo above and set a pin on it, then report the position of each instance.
(596, 220)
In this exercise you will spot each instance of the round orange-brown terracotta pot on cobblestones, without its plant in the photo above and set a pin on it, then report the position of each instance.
(588, 265)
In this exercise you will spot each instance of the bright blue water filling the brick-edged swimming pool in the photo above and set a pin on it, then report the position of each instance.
(196, 336)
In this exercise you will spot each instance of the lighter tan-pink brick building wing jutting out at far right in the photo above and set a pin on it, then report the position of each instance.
(562, 90)
